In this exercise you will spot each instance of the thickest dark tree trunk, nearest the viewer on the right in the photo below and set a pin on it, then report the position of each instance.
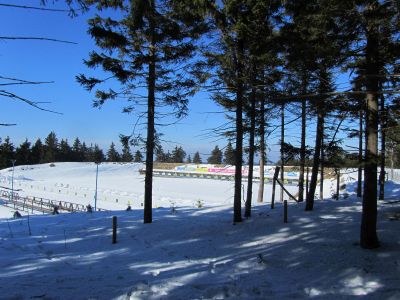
(368, 235)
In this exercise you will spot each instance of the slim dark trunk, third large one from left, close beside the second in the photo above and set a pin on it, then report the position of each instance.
(247, 213)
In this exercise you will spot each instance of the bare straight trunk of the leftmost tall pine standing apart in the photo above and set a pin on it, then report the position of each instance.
(148, 181)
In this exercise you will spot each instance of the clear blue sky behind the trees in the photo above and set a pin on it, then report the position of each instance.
(49, 61)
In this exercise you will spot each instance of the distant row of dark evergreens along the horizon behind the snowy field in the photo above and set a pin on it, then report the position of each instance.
(54, 150)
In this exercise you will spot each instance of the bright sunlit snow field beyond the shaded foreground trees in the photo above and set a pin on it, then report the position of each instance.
(118, 186)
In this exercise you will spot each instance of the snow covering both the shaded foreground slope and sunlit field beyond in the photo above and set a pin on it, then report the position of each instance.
(190, 251)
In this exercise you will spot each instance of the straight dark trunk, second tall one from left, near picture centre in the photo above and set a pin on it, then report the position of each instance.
(237, 207)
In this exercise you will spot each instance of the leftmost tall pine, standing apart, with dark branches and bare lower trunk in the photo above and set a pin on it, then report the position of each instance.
(144, 46)
